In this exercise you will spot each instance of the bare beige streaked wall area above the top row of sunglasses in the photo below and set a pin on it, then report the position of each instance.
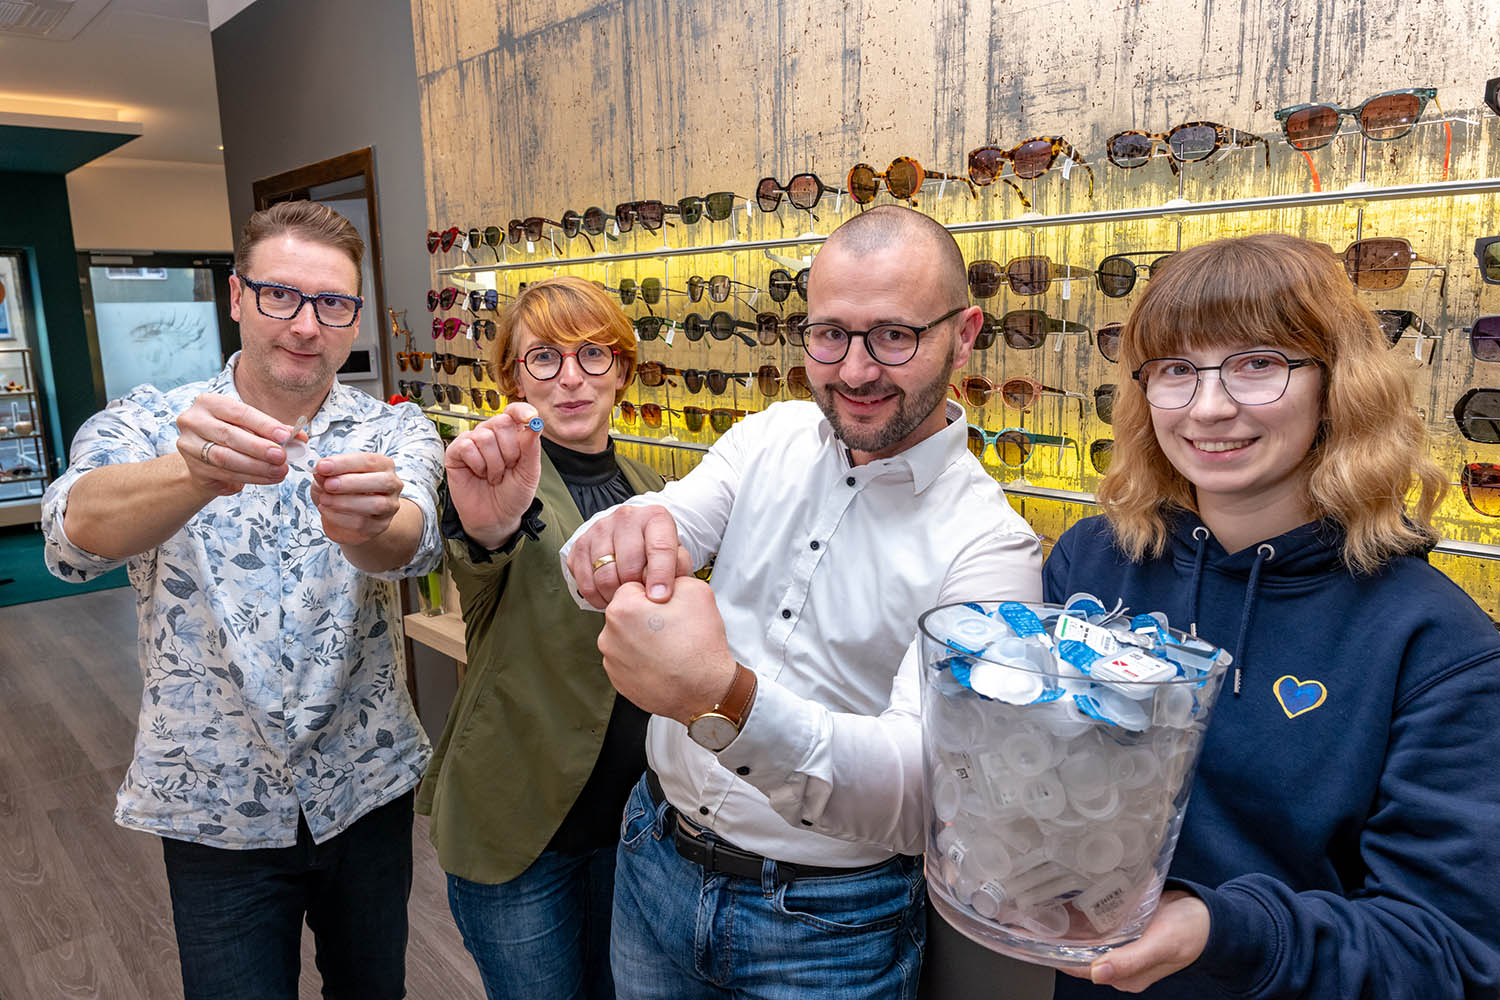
(551, 104)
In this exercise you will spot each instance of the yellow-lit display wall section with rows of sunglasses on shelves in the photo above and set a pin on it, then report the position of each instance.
(1061, 236)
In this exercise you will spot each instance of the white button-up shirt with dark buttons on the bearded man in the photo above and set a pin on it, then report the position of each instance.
(823, 570)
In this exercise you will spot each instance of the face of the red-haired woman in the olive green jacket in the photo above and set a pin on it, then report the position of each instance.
(574, 406)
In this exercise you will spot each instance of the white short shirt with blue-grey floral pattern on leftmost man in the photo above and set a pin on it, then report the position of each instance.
(274, 675)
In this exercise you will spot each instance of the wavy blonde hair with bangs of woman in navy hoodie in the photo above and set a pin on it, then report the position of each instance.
(1286, 293)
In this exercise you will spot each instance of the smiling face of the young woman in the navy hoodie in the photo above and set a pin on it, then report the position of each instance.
(1249, 464)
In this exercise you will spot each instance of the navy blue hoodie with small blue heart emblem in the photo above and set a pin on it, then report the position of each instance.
(1345, 822)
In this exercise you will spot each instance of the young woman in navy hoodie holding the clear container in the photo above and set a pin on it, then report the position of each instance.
(1343, 837)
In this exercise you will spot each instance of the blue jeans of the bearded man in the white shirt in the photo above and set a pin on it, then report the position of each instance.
(682, 935)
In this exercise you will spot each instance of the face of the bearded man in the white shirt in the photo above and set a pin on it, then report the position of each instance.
(880, 410)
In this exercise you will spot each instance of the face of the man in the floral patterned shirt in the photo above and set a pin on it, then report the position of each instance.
(295, 359)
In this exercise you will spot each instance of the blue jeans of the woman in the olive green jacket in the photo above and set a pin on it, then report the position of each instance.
(544, 935)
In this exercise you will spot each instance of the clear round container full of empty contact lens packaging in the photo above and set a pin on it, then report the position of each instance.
(1060, 743)
